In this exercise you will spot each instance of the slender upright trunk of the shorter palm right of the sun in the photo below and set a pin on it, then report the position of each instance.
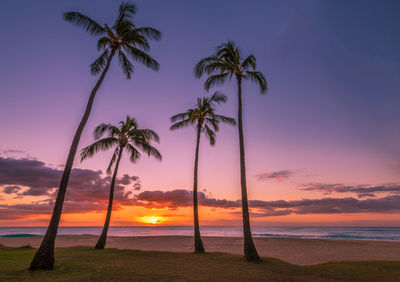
(198, 244)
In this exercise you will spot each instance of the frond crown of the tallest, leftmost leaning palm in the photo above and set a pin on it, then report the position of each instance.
(122, 37)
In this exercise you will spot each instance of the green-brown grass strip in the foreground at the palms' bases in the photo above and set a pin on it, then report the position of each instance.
(84, 263)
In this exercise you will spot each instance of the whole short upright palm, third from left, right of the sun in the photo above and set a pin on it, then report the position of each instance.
(207, 122)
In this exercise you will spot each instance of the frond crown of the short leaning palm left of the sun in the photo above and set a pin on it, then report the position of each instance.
(126, 137)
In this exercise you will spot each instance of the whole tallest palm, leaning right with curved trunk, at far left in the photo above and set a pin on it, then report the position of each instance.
(122, 38)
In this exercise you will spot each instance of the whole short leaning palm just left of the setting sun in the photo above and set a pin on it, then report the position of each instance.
(126, 137)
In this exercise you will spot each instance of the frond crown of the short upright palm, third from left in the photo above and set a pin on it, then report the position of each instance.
(203, 116)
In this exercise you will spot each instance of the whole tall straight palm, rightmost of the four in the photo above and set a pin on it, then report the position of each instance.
(225, 63)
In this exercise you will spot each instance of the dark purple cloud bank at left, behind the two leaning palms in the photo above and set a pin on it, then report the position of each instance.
(41, 180)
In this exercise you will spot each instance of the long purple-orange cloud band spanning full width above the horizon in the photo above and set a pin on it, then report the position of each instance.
(88, 191)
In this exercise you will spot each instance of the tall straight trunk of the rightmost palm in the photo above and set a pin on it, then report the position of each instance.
(249, 249)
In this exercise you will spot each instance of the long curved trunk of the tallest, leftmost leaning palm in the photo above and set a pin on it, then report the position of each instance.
(44, 257)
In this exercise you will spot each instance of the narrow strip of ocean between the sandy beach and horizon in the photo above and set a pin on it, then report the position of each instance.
(359, 233)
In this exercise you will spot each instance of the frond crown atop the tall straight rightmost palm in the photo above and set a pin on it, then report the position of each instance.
(226, 62)
